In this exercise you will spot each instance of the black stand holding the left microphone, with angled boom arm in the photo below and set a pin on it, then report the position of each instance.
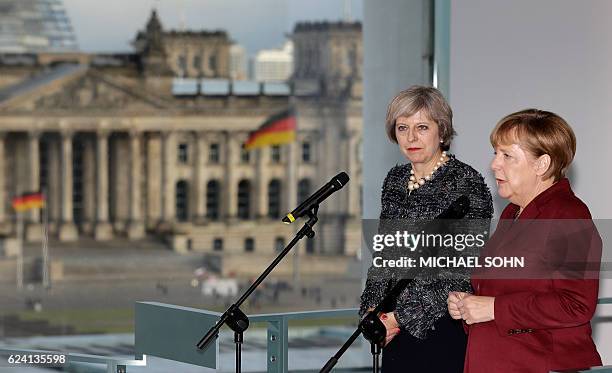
(233, 317)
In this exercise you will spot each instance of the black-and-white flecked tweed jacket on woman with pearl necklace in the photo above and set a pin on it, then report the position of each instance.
(423, 301)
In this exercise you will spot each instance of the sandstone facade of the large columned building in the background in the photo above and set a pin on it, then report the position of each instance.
(119, 155)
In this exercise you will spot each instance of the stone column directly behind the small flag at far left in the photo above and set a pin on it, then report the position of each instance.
(34, 228)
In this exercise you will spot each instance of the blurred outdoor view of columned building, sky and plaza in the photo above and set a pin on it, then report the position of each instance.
(127, 122)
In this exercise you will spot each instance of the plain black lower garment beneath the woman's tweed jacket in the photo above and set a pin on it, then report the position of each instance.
(442, 352)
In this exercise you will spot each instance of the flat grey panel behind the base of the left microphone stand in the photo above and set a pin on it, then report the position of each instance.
(172, 332)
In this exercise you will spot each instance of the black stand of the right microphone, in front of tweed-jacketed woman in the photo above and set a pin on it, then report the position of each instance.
(373, 330)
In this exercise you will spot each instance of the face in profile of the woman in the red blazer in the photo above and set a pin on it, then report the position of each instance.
(515, 174)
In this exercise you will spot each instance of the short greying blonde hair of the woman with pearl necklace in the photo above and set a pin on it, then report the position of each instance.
(408, 102)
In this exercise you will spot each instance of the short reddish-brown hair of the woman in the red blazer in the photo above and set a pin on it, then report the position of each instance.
(539, 132)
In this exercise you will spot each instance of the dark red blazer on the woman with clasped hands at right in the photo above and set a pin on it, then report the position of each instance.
(540, 324)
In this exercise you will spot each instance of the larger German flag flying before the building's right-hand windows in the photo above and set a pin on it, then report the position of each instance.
(276, 130)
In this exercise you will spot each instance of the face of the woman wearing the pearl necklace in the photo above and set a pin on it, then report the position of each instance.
(418, 137)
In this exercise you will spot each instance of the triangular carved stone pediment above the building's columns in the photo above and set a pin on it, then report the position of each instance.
(83, 89)
